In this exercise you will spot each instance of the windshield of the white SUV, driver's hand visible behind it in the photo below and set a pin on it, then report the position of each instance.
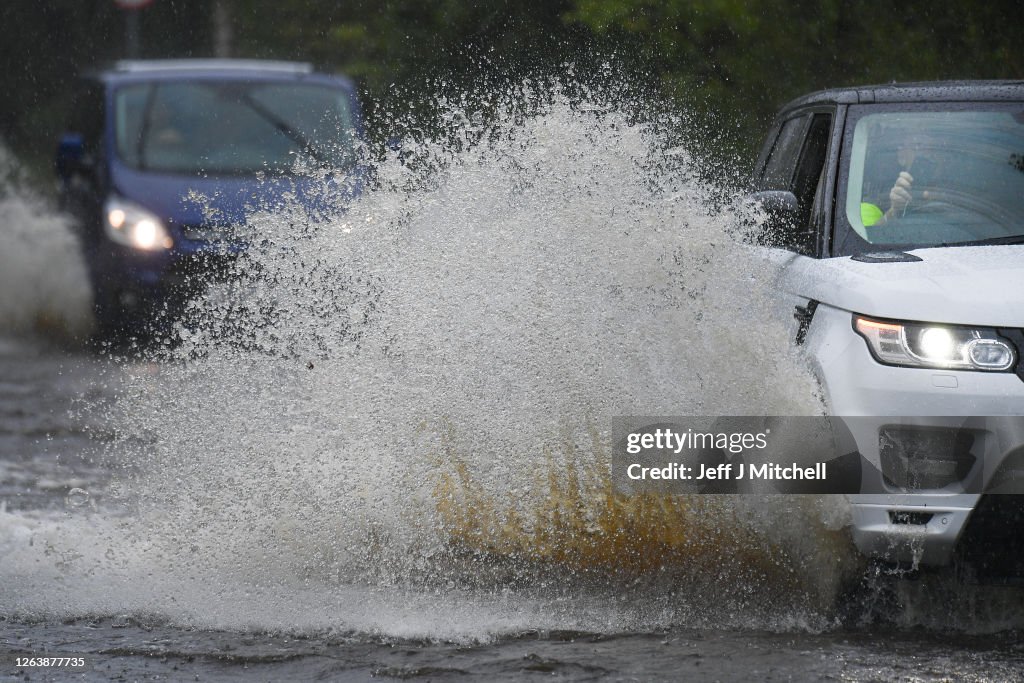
(921, 177)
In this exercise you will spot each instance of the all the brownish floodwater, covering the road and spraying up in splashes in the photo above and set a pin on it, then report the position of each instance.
(381, 451)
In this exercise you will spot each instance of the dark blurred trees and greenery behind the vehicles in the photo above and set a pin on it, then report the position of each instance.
(731, 64)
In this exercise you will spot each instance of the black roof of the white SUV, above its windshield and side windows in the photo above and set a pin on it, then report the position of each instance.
(934, 92)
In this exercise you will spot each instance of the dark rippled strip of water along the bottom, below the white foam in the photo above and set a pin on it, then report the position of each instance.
(117, 652)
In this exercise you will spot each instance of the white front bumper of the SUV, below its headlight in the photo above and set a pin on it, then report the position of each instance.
(918, 526)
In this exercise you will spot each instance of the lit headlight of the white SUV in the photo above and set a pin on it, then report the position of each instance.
(924, 346)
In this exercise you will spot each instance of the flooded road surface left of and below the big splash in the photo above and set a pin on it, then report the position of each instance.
(61, 597)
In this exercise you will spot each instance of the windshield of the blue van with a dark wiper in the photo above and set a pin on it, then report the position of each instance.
(232, 129)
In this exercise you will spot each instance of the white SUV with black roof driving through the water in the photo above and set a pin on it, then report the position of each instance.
(897, 215)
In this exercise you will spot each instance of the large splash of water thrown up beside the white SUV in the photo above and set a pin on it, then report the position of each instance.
(398, 421)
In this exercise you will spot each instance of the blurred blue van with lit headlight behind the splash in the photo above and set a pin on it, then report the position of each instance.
(163, 157)
